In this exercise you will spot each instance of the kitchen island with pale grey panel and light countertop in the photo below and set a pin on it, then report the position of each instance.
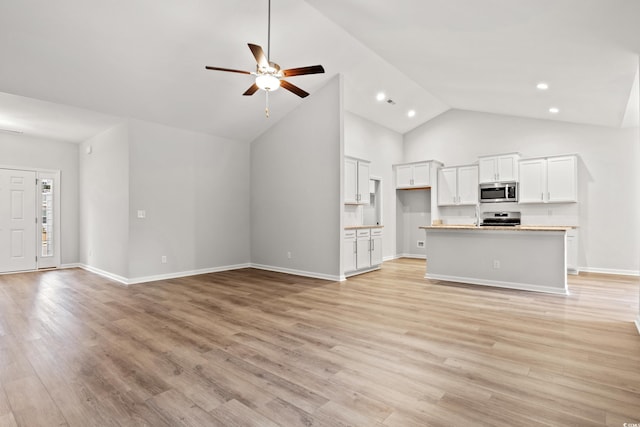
(532, 258)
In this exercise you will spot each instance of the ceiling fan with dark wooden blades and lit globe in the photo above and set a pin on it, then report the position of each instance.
(269, 76)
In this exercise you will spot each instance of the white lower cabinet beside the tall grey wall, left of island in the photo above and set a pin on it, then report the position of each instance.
(362, 250)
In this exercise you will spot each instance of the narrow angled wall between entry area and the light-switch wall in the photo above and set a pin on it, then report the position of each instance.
(104, 201)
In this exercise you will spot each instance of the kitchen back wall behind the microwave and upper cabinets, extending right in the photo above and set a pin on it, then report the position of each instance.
(608, 214)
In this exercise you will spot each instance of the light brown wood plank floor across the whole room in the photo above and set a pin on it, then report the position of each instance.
(249, 347)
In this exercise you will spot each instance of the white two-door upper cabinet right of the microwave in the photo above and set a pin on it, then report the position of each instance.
(549, 180)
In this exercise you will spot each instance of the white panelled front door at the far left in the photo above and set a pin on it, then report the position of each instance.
(17, 220)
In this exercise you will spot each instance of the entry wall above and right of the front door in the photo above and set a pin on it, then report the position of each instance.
(36, 153)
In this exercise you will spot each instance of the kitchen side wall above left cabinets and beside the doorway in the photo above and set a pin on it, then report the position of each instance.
(383, 147)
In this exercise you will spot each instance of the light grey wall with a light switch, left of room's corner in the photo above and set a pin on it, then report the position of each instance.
(194, 189)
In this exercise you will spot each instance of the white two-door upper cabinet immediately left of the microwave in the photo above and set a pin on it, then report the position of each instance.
(458, 185)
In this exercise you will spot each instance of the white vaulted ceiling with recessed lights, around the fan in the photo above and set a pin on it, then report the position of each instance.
(145, 59)
